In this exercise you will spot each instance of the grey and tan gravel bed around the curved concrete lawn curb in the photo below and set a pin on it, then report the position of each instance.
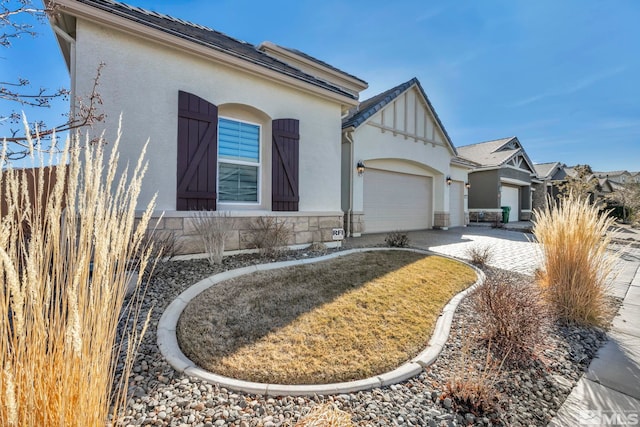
(527, 395)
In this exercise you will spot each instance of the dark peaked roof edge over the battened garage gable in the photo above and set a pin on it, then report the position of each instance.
(371, 106)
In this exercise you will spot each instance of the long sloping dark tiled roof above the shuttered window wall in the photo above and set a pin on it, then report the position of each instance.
(210, 38)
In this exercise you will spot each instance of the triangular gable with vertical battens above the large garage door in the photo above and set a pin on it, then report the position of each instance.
(409, 115)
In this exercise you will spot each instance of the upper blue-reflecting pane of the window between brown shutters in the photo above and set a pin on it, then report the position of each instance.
(238, 141)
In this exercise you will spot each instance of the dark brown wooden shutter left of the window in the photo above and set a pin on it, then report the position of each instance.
(197, 153)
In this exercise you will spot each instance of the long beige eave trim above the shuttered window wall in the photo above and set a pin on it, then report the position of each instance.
(89, 13)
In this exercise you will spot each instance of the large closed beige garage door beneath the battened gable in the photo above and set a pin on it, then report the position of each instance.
(396, 201)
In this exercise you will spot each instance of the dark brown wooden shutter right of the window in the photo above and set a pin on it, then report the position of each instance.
(284, 175)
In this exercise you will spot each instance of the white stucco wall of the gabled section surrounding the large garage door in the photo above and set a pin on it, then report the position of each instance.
(405, 137)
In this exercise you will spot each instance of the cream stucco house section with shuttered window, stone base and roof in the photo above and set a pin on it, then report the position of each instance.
(232, 127)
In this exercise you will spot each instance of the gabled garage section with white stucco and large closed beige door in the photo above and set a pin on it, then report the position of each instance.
(400, 170)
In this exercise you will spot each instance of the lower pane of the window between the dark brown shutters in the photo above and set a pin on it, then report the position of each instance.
(237, 183)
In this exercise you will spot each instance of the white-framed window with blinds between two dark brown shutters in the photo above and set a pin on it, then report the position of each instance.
(238, 161)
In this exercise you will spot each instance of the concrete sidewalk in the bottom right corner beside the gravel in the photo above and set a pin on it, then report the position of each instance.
(609, 392)
